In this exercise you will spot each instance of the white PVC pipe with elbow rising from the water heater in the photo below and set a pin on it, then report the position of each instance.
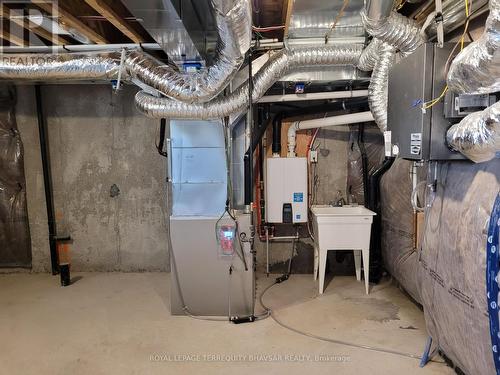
(351, 118)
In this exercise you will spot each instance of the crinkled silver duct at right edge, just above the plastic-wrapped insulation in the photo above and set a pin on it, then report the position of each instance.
(477, 136)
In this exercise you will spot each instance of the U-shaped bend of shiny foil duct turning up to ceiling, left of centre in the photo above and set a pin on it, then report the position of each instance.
(234, 24)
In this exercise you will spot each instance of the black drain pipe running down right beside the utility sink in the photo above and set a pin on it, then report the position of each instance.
(374, 205)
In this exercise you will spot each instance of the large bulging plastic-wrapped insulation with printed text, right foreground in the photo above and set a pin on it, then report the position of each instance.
(452, 272)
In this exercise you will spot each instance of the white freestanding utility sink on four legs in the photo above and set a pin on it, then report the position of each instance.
(342, 228)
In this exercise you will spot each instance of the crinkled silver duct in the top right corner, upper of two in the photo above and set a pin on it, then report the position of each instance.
(476, 69)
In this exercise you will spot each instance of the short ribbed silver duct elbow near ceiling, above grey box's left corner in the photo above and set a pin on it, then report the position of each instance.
(396, 30)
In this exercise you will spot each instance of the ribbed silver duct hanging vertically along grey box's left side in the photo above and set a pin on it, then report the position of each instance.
(377, 91)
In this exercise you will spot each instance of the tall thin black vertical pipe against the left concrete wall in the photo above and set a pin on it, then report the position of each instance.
(47, 180)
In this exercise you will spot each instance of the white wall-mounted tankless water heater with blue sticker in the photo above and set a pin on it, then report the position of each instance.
(286, 184)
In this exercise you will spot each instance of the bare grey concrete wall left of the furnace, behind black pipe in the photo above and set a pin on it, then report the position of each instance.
(97, 140)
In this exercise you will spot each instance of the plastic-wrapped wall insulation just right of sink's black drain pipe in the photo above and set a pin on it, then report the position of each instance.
(398, 229)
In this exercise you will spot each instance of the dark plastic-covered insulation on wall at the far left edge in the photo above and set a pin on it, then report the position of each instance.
(15, 245)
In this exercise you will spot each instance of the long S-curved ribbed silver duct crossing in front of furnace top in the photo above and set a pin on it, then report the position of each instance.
(278, 65)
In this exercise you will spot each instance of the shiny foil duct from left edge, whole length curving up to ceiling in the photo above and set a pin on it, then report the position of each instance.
(235, 32)
